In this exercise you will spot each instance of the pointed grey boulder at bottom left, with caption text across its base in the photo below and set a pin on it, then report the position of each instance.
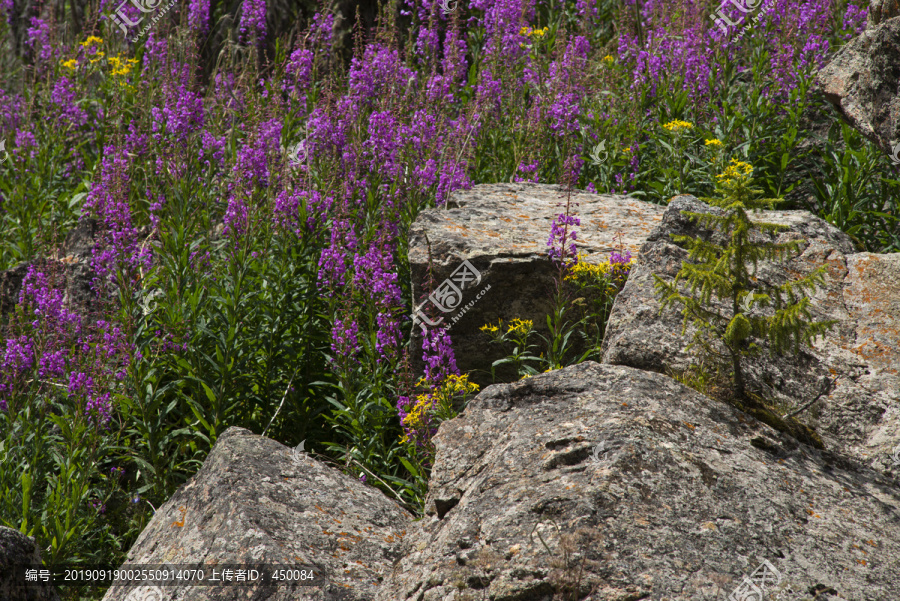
(254, 503)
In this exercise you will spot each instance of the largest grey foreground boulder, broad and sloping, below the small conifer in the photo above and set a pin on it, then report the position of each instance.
(601, 482)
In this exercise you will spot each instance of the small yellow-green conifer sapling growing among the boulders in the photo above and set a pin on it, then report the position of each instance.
(728, 272)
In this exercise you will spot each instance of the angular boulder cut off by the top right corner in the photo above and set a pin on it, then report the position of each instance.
(863, 79)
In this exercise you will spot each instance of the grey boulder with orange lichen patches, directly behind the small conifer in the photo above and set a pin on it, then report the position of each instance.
(861, 416)
